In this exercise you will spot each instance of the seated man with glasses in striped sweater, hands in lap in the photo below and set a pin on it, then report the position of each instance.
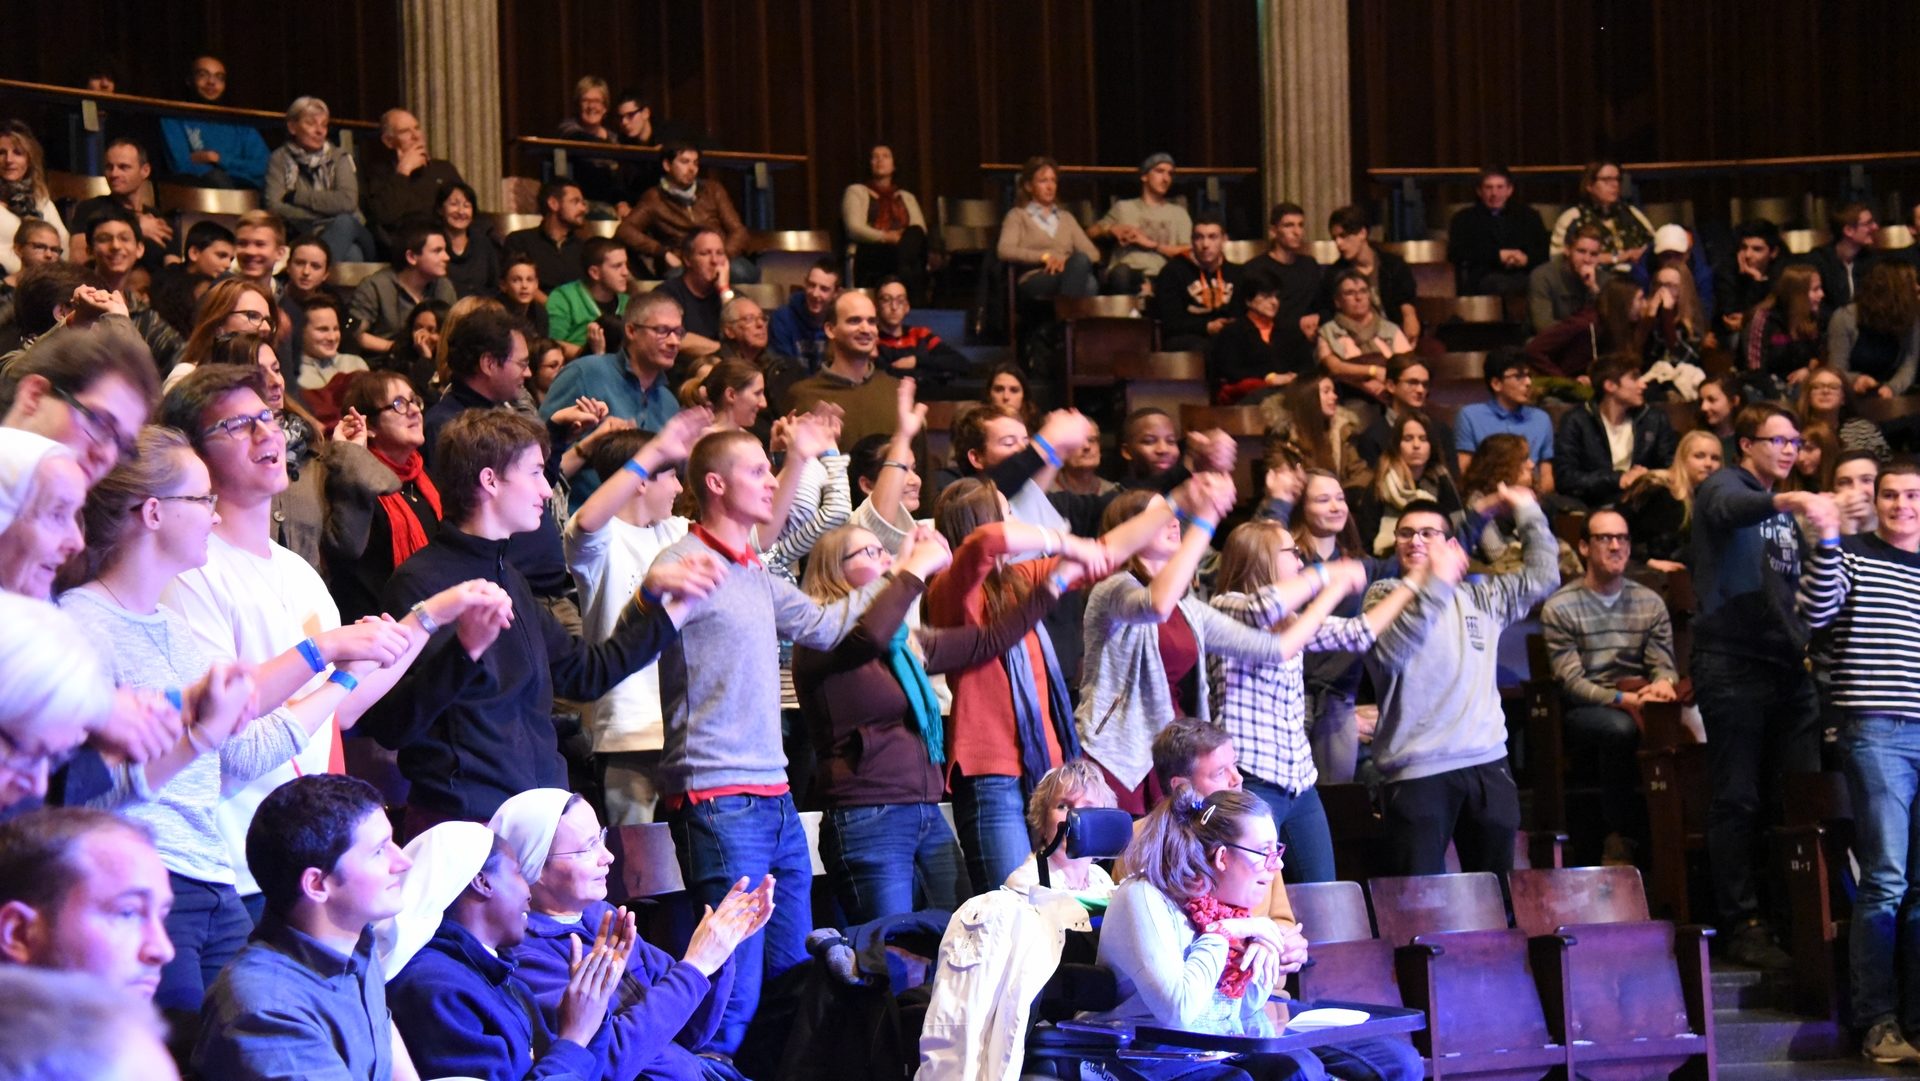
(1612, 646)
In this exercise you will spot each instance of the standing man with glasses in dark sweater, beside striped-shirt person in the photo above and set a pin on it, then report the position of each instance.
(1750, 663)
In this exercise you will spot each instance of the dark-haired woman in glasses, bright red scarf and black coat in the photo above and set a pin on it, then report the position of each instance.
(375, 523)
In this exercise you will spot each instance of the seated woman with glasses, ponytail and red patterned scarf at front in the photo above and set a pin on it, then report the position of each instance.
(1188, 953)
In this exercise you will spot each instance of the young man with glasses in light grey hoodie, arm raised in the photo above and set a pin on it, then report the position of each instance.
(1443, 736)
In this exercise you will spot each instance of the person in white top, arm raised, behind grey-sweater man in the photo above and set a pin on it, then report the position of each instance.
(612, 542)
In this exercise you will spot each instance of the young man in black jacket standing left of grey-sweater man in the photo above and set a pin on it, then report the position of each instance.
(492, 736)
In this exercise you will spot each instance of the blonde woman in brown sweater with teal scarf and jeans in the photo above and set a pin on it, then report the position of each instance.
(876, 729)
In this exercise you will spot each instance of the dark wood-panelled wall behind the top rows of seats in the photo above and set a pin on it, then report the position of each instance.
(1093, 82)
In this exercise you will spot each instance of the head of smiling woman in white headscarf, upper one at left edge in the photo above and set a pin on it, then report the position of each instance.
(41, 496)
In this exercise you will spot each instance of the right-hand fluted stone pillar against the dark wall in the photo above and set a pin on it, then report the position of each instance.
(1308, 153)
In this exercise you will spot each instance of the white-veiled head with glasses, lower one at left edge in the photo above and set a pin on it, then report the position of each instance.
(53, 694)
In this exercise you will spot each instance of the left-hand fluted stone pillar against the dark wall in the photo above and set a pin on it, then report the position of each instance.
(452, 78)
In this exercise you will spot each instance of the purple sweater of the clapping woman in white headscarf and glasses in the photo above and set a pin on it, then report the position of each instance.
(663, 1015)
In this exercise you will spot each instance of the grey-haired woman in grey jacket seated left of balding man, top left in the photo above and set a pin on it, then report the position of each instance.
(314, 187)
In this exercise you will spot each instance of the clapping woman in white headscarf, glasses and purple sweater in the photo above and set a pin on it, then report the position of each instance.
(665, 1011)
